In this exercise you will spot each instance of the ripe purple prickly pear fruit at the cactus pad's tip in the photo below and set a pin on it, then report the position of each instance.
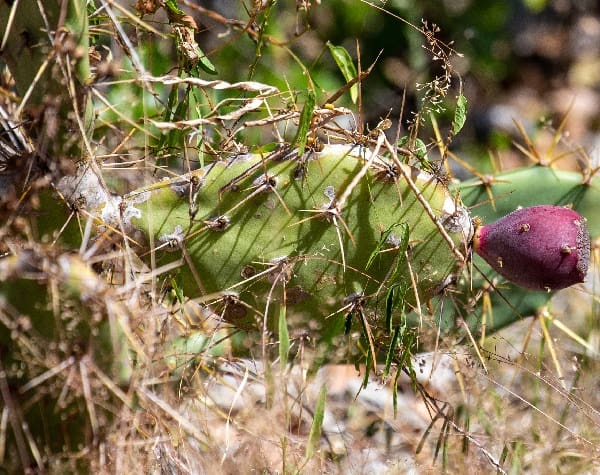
(539, 248)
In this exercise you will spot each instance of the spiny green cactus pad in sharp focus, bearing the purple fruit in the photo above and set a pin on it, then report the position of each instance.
(327, 235)
